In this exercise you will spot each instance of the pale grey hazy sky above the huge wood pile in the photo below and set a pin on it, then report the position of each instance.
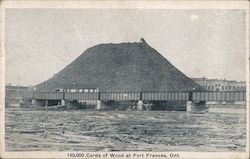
(41, 42)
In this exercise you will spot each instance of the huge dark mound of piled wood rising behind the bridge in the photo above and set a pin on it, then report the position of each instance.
(124, 67)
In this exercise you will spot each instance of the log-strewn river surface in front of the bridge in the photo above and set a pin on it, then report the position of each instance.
(219, 129)
